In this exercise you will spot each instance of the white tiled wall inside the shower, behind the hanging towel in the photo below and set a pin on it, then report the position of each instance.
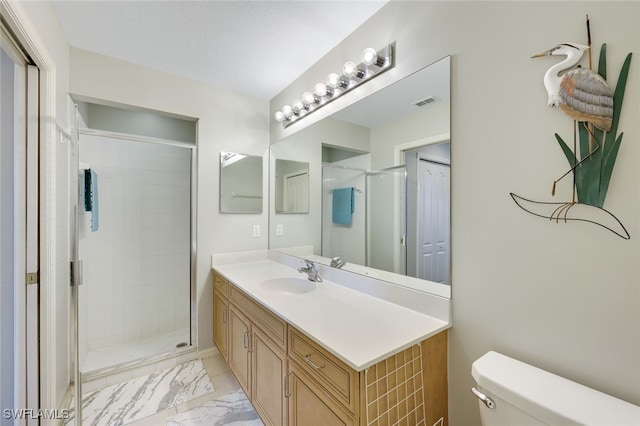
(137, 264)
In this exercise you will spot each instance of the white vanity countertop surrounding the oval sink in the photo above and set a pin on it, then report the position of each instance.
(357, 328)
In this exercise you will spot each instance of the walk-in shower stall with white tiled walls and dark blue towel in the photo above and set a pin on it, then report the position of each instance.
(134, 236)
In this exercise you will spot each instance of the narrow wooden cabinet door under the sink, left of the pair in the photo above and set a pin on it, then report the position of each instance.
(239, 355)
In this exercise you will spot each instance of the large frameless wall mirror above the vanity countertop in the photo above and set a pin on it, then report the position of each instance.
(378, 181)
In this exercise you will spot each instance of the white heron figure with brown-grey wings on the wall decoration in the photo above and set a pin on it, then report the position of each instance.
(580, 93)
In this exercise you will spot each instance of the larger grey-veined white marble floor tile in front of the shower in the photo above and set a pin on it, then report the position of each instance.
(138, 398)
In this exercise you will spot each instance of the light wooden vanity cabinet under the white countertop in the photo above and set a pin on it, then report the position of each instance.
(292, 380)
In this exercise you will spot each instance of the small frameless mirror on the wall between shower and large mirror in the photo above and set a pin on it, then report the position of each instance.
(240, 183)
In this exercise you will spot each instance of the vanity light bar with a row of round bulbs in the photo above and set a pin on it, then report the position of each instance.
(373, 63)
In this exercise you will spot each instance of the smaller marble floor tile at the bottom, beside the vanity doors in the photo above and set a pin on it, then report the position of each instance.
(233, 409)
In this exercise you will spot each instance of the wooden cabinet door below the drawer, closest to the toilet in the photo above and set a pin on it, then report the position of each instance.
(308, 408)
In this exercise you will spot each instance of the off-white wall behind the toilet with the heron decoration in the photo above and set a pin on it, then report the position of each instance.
(562, 297)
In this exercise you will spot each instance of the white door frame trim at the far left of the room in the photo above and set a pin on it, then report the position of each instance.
(28, 36)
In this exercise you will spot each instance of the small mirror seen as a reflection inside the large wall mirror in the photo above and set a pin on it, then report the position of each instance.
(292, 186)
